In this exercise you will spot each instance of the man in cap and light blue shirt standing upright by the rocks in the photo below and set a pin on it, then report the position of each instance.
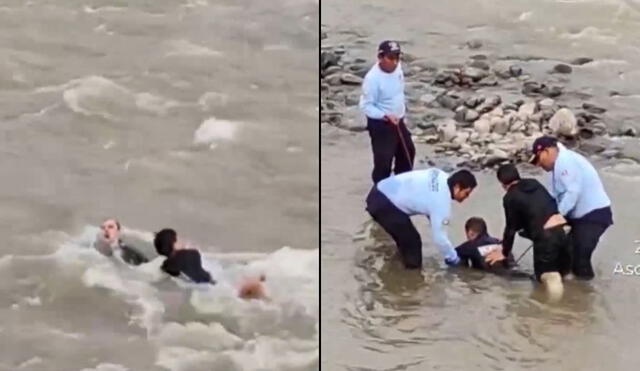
(383, 103)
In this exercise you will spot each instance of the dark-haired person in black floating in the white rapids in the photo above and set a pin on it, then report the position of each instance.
(187, 262)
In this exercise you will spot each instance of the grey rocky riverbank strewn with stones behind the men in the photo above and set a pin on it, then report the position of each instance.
(483, 111)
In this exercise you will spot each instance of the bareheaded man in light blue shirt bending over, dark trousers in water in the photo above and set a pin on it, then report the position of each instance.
(427, 192)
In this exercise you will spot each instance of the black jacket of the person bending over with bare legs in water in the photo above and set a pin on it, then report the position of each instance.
(527, 206)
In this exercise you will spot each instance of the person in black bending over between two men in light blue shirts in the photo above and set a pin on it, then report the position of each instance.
(529, 207)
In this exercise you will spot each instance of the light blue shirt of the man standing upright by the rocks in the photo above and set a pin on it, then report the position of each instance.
(383, 93)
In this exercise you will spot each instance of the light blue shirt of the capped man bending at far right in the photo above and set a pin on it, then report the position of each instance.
(576, 185)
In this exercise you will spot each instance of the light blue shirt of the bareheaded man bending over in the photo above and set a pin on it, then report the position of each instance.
(424, 192)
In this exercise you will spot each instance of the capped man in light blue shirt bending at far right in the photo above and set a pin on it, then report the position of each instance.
(581, 198)
